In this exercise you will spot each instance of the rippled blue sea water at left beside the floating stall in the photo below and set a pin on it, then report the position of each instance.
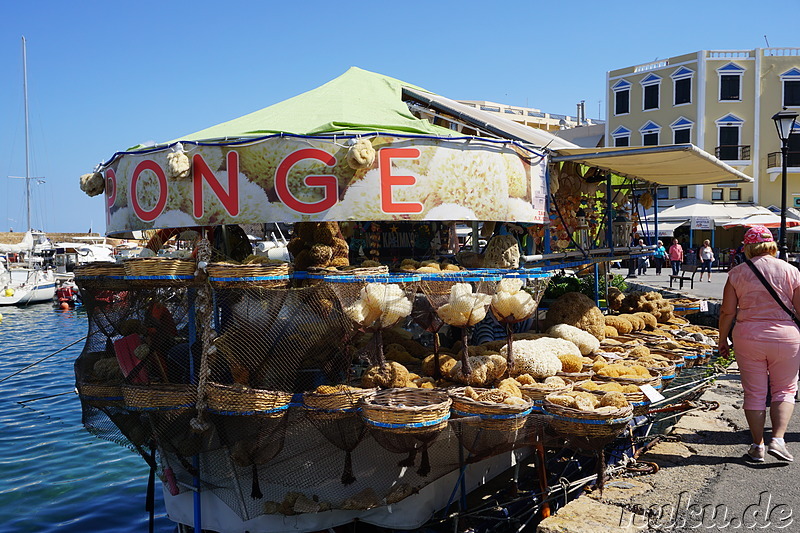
(55, 476)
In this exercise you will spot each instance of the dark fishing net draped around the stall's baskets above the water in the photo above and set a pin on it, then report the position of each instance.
(251, 390)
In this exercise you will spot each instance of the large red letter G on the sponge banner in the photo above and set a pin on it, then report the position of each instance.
(328, 182)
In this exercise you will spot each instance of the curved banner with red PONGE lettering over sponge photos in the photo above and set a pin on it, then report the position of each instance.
(293, 179)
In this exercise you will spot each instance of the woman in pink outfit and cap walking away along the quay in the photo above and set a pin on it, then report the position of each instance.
(766, 339)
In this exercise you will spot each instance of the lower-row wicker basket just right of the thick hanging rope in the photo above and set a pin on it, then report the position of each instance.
(240, 400)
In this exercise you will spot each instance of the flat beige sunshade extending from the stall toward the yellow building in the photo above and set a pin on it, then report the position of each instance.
(679, 164)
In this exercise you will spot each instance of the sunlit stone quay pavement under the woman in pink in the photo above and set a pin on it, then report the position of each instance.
(703, 482)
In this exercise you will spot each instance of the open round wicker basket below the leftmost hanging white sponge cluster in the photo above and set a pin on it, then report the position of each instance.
(406, 410)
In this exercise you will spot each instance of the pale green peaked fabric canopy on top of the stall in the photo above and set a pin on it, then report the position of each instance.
(356, 101)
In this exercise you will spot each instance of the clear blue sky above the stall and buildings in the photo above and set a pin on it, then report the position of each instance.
(103, 76)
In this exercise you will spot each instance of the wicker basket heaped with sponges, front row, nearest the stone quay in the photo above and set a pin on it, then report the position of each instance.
(584, 414)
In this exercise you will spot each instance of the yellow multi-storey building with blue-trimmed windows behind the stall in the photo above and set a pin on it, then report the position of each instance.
(721, 101)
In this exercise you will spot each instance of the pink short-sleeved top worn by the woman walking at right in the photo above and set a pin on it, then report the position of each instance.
(759, 316)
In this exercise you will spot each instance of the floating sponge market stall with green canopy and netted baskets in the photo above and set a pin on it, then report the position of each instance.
(382, 367)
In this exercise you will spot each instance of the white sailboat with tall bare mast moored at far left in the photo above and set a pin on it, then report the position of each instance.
(23, 281)
